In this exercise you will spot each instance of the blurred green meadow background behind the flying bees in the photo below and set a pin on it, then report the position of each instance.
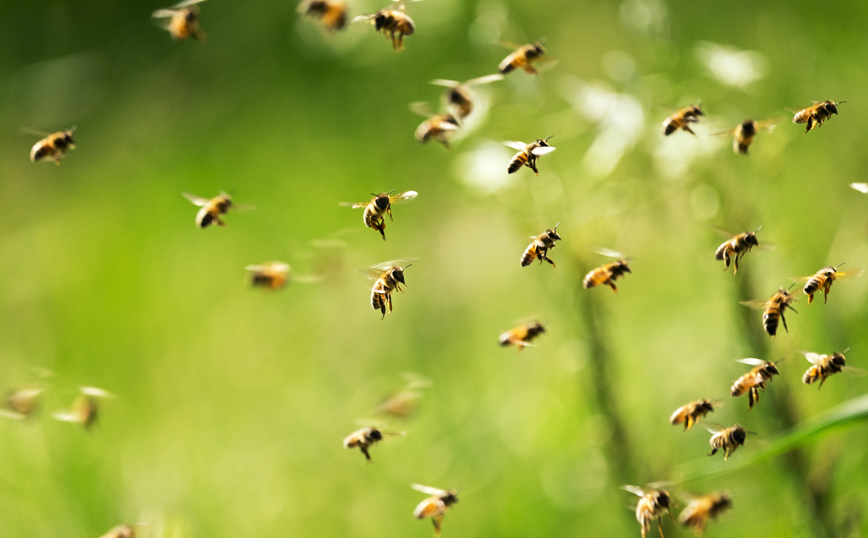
(232, 402)
